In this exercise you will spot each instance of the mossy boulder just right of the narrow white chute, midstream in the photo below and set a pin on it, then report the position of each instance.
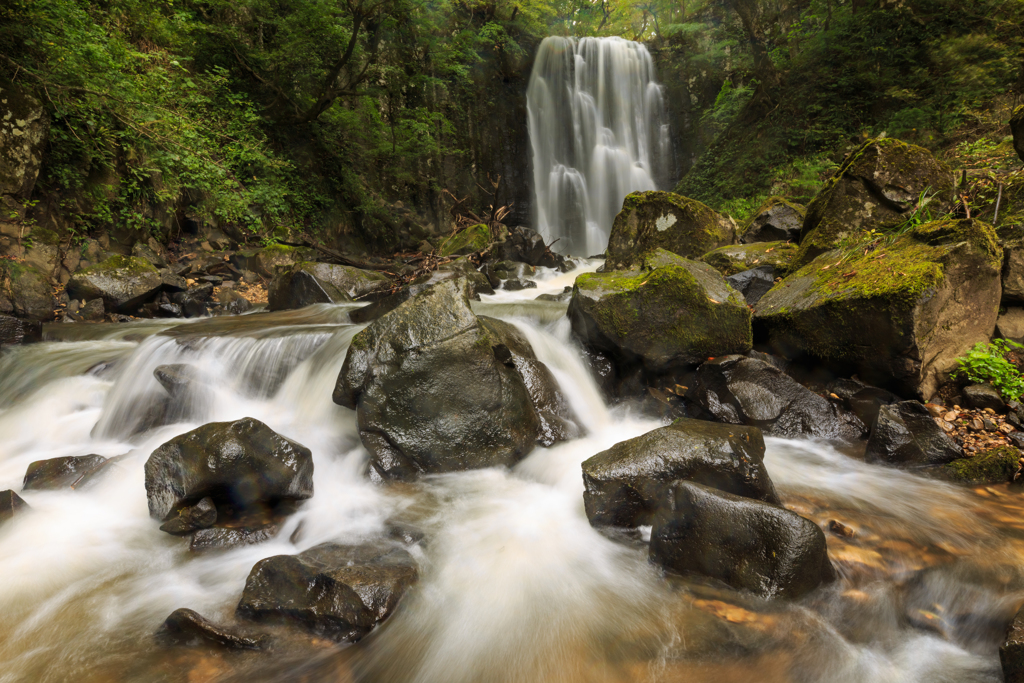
(672, 314)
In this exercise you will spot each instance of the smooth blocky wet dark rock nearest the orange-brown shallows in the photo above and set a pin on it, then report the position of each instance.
(748, 544)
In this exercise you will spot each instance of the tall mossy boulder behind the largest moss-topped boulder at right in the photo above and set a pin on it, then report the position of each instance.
(877, 188)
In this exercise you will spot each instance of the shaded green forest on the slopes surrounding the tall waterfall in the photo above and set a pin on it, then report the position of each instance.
(373, 124)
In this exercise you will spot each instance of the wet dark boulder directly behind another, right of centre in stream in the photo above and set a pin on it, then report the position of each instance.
(624, 485)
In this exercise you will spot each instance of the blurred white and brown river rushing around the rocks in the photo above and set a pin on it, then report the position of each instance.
(516, 585)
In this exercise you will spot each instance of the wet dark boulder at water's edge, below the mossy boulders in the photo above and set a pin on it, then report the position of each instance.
(747, 392)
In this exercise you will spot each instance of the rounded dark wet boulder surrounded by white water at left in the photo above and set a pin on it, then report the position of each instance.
(241, 465)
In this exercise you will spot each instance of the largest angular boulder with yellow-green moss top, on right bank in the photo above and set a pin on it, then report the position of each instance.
(899, 315)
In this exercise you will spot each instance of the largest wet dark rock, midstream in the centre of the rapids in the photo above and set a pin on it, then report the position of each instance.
(438, 390)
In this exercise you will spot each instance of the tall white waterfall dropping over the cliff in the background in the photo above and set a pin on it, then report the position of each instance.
(600, 132)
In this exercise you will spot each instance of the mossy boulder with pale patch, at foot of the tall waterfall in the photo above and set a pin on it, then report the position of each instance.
(664, 221)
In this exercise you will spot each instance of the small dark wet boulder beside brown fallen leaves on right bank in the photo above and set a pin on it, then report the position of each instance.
(906, 434)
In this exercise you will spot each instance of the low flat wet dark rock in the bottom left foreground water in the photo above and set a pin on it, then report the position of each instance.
(338, 591)
